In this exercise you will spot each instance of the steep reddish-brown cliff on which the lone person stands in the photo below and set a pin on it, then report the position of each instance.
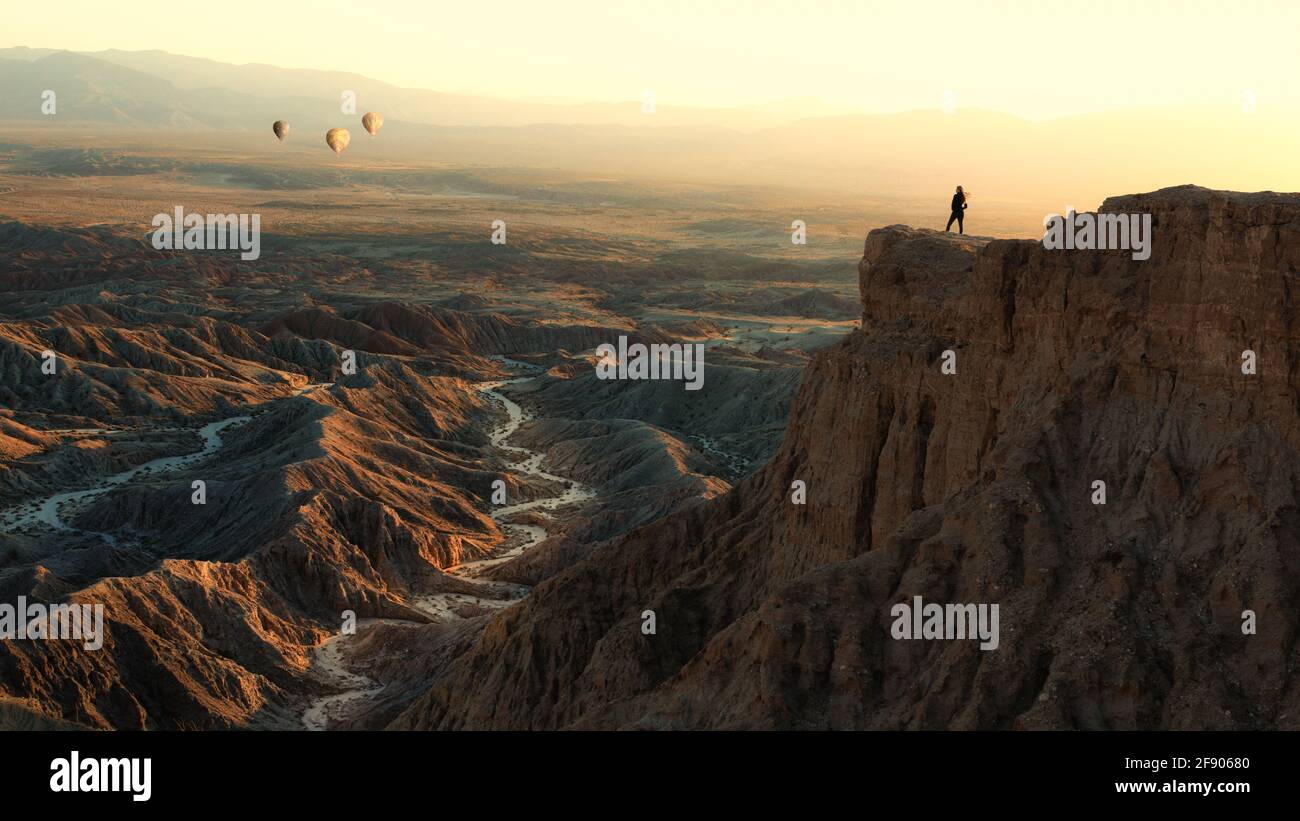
(1072, 367)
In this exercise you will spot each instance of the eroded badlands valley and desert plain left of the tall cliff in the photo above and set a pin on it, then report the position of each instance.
(359, 531)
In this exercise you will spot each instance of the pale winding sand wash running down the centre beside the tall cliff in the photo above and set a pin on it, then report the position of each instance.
(328, 658)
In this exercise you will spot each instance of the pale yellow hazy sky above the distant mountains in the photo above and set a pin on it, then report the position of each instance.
(1020, 57)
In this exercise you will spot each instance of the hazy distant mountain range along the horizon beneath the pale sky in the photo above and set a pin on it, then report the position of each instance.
(1017, 170)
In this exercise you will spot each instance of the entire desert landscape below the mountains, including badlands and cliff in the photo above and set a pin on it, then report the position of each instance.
(469, 529)
